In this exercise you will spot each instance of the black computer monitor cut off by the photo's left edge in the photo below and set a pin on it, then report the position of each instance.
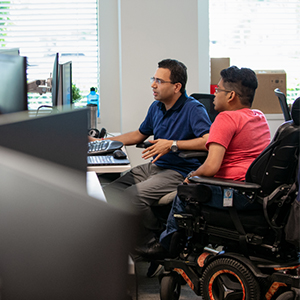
(13, 84)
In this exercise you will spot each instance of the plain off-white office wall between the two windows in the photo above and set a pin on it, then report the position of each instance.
(134, 36)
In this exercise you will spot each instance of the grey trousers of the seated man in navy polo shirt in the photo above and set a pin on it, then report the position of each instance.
(140, 189)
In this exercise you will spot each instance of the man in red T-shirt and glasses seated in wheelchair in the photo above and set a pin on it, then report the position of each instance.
(237, 136)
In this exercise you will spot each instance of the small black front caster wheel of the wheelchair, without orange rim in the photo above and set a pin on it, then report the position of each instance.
(170, 287)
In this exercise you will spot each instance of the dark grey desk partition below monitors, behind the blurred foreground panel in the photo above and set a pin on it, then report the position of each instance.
(60, 137)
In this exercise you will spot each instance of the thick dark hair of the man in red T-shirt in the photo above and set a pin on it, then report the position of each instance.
(243, 81)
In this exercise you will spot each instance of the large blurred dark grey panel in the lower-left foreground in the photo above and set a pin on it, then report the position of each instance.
(57, 242)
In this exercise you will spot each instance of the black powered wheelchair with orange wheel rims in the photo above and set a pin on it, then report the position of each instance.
(230, 254)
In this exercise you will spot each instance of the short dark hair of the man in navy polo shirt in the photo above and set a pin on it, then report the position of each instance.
(178, 71)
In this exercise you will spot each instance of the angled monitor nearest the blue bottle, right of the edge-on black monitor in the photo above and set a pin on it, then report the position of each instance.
(65, 85)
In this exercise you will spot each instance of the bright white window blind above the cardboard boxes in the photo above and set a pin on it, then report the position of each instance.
(259, 34)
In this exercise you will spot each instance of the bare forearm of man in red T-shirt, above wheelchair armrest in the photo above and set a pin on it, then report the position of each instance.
(212, 163)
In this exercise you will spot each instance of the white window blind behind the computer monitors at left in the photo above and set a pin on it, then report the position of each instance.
(42, 28)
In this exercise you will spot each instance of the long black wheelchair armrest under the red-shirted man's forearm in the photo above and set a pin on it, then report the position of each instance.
(239, 185)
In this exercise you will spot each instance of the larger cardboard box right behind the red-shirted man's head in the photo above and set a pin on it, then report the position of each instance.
(265, 98)
